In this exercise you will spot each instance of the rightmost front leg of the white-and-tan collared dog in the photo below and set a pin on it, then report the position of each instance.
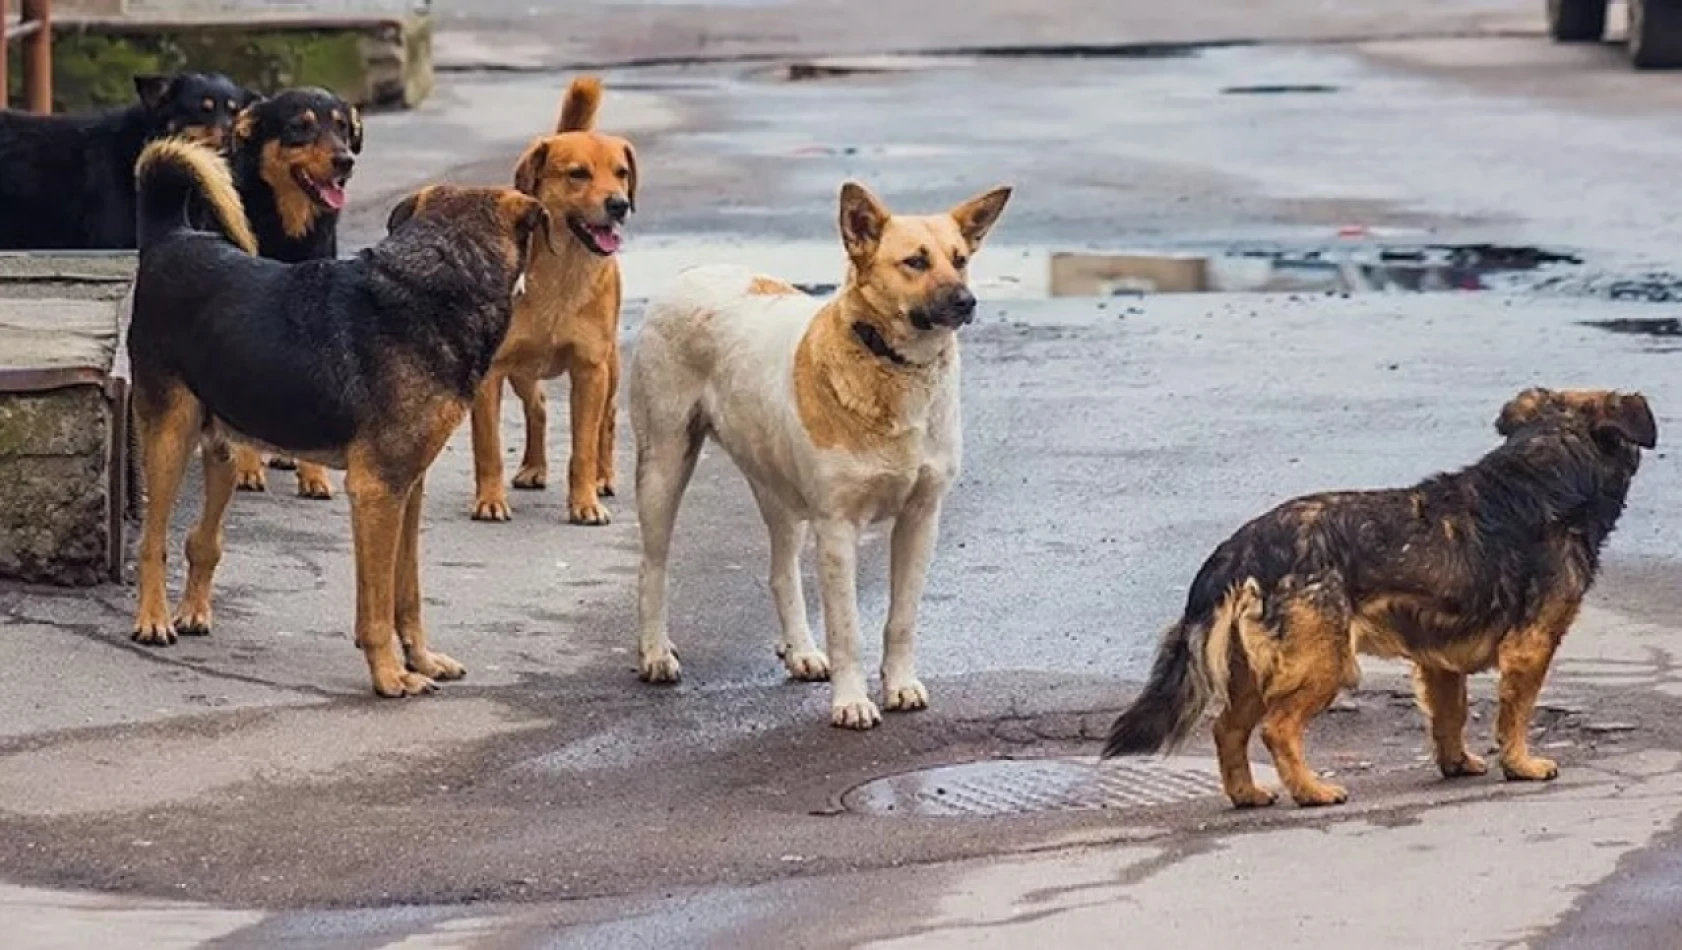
(912, 547)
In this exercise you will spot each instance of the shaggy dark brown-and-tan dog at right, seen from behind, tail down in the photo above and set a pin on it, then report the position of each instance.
(1478, 569)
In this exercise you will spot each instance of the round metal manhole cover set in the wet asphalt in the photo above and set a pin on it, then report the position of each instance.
(1025, 786)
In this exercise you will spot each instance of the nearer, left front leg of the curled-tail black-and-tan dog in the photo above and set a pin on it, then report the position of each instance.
(378, 527)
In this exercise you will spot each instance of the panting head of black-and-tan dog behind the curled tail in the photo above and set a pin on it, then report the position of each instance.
(305, 144)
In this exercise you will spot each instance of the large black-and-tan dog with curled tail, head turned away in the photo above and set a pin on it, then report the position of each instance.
(364, 366)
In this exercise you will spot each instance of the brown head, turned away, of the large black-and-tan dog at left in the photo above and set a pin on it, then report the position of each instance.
(502, 221)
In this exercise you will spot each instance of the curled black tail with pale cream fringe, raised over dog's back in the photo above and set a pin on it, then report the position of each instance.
(174, 174)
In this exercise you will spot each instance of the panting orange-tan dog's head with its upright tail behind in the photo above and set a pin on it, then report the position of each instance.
(583, 177)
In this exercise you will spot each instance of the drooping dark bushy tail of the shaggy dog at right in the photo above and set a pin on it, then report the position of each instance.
(1190, 673)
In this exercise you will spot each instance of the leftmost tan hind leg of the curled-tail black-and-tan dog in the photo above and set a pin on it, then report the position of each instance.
(167, 426)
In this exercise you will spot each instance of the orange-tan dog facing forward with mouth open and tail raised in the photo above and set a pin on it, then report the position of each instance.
(569, 322)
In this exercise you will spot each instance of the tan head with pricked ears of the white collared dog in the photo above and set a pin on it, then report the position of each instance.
(912, 273)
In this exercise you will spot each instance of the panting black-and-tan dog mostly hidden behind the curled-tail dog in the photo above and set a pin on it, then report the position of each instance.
(292, 157)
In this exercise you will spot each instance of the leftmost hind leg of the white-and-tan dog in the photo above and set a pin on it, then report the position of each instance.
(664, 467)
